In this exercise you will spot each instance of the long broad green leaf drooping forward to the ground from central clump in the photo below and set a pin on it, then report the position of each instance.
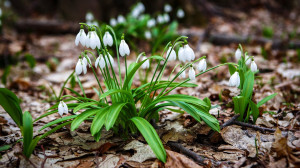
(151, 137)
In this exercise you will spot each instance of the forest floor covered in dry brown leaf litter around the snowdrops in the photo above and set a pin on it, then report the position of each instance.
(234, 146)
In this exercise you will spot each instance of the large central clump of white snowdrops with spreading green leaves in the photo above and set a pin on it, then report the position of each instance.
(122, 108)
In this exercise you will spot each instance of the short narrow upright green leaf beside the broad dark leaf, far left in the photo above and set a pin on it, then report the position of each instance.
(27, 133)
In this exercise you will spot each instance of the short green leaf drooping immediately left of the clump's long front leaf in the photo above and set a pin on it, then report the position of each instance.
(113, 114)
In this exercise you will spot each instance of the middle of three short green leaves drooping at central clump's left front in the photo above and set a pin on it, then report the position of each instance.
(99, 120)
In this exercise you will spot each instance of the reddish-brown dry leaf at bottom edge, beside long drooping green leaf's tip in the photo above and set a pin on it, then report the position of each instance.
(175, 159)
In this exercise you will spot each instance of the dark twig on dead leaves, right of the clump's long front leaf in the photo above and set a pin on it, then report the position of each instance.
(197, 158)
